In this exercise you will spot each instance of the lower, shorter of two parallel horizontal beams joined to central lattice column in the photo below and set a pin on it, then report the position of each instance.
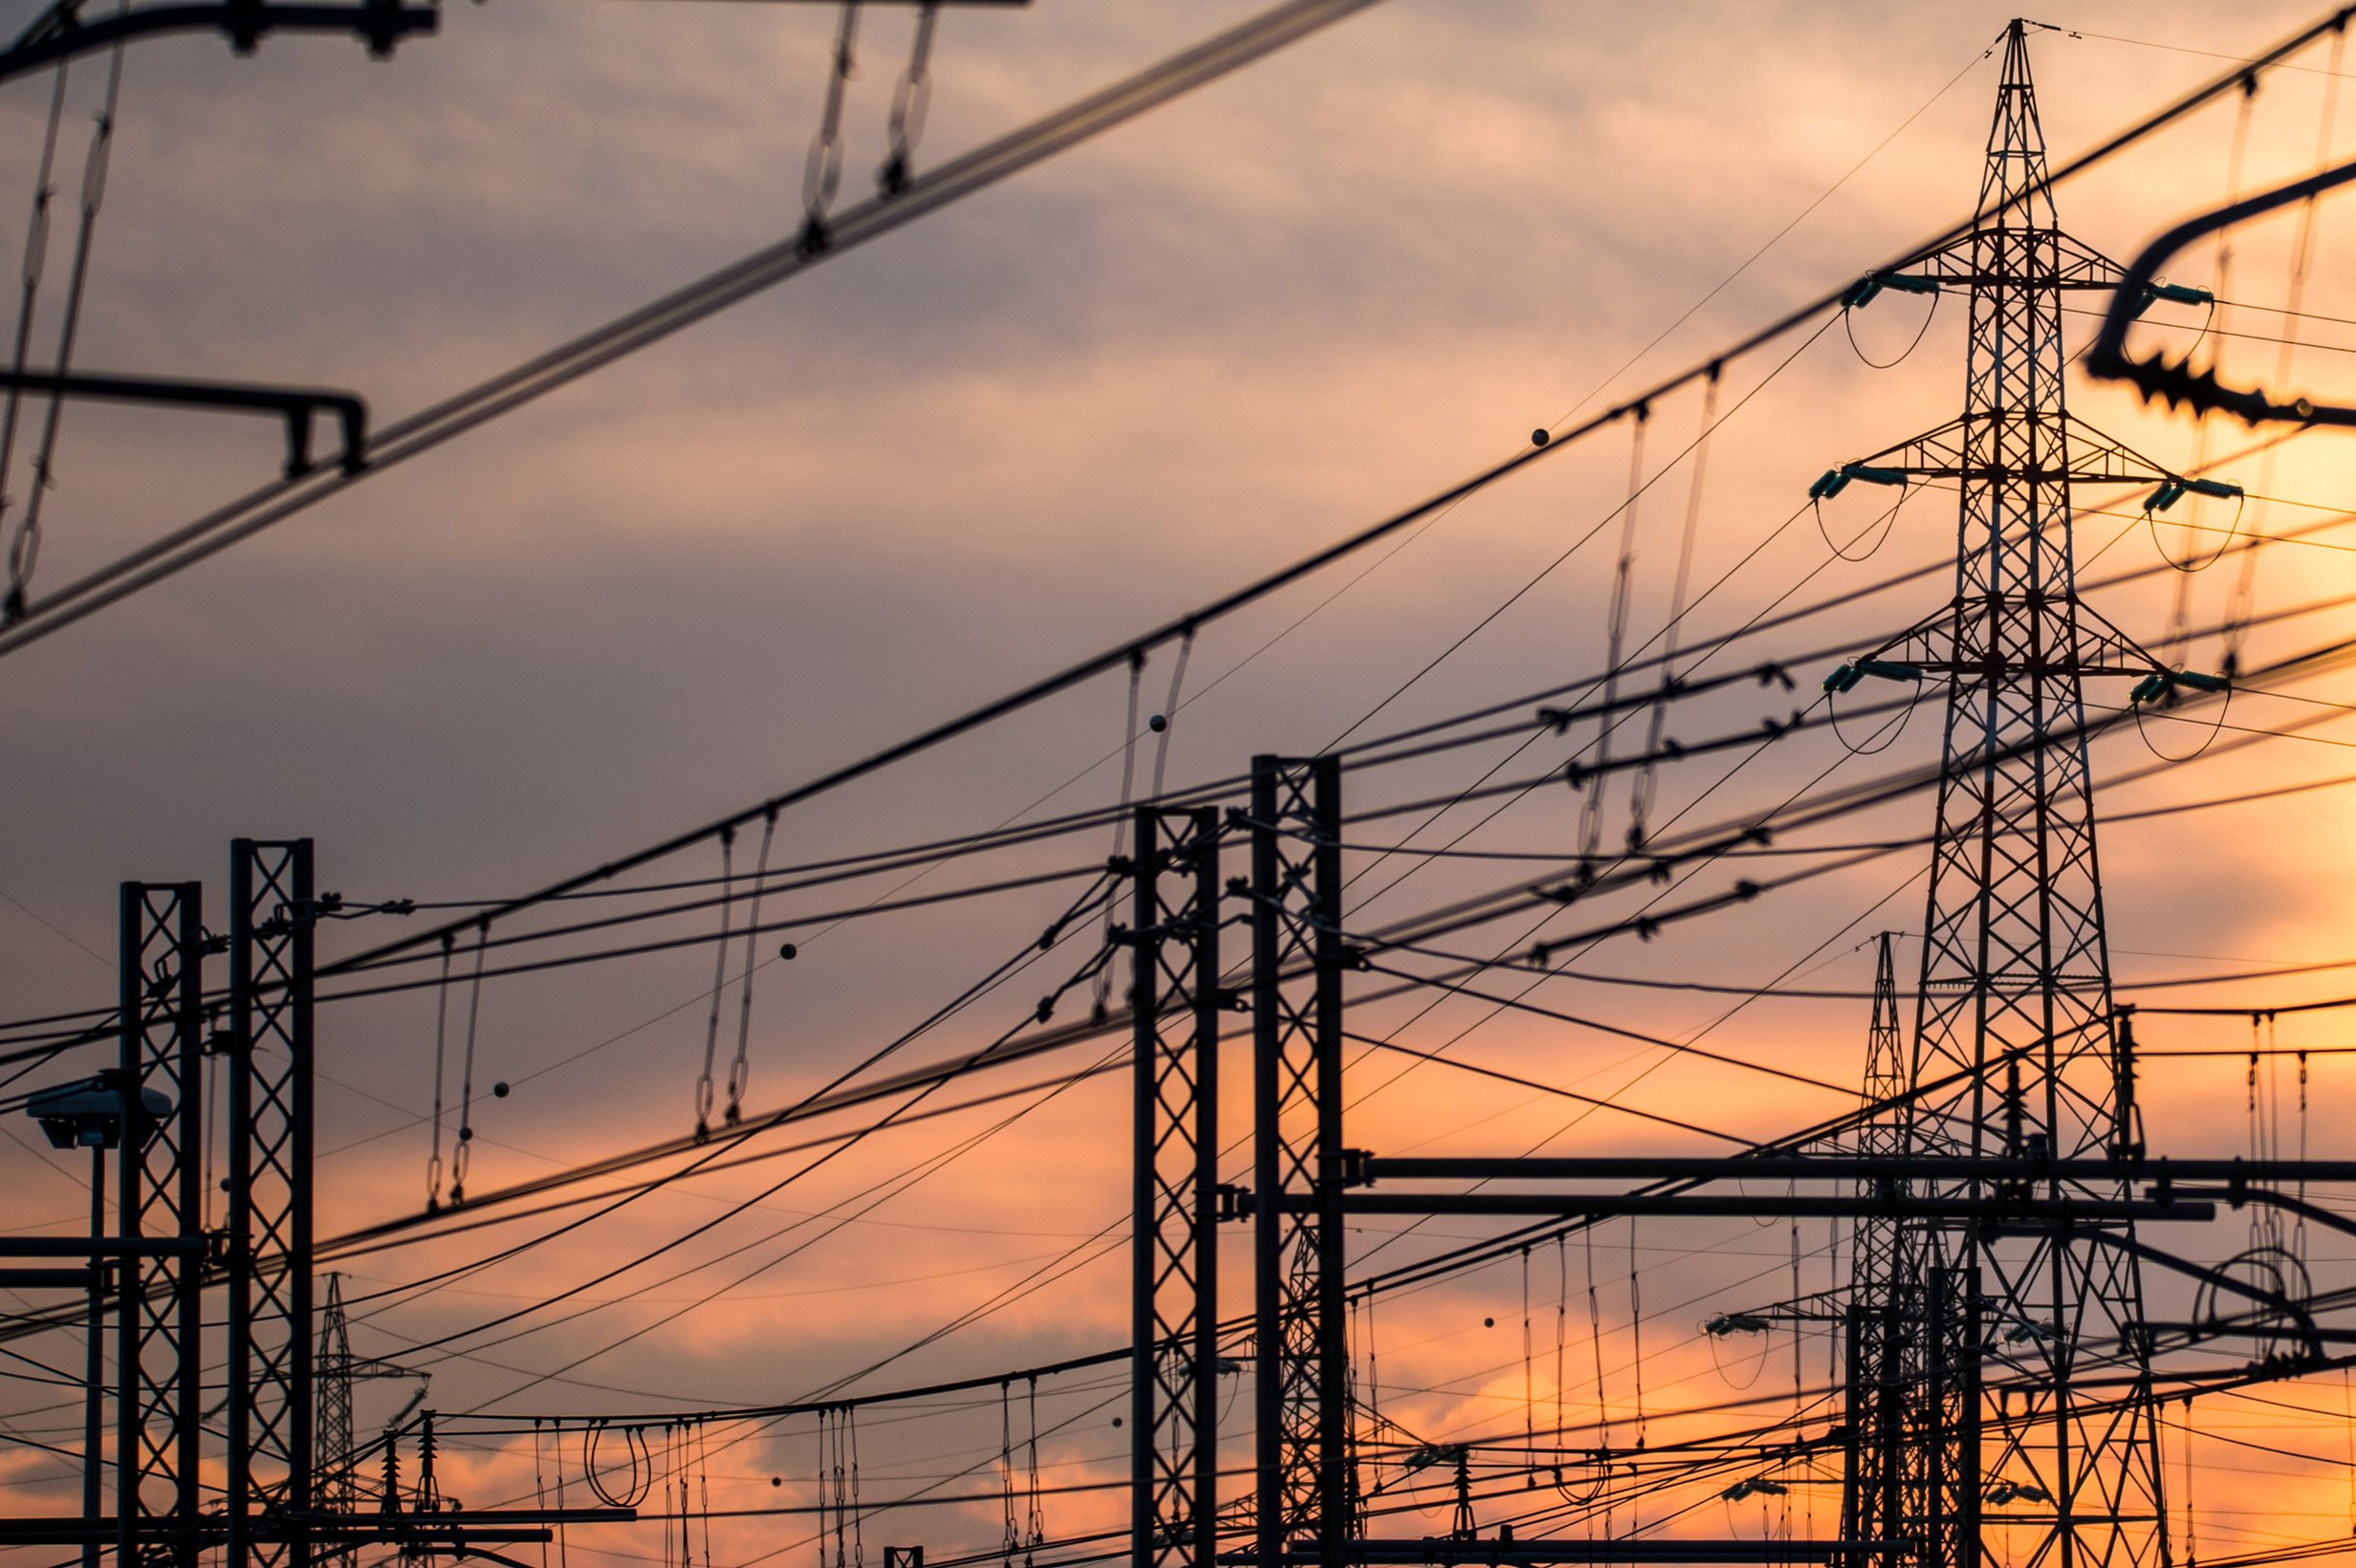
(2096, 1211)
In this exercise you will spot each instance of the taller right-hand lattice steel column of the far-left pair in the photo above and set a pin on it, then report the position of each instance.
(270, 1202)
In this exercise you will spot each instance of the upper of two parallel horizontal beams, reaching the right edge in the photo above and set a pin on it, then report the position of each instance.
(1844, 1169)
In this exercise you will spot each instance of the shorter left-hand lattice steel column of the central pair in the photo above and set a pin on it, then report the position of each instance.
(1174, 1251)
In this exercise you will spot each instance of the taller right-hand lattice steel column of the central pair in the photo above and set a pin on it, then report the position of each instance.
(1299, 1258)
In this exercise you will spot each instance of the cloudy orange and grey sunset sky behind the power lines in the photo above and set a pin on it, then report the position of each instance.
(1010, 437)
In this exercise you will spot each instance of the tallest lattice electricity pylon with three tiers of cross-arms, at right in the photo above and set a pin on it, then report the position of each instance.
(2013, 1049)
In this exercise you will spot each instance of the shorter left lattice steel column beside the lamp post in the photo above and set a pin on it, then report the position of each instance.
(159, 1353)
